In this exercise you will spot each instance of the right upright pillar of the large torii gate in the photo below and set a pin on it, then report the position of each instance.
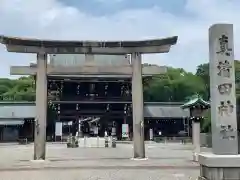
(137, 102)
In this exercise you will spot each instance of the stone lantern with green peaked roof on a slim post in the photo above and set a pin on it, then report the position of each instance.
(197, 107)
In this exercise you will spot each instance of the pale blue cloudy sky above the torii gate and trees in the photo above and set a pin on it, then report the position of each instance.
(120, 20)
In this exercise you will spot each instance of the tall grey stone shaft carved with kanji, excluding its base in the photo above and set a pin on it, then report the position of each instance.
(222, 83)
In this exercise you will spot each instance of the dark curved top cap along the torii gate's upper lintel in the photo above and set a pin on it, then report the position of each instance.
(8, 40)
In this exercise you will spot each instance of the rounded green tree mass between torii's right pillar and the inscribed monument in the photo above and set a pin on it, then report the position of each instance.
(175, 86)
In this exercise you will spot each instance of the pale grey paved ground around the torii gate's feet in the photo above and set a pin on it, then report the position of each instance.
(165, 162)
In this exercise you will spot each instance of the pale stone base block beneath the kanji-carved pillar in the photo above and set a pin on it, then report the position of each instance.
(219, 167)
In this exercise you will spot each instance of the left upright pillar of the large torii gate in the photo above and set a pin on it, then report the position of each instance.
(41, 108)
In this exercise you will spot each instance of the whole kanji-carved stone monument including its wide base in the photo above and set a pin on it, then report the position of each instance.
(224, 161)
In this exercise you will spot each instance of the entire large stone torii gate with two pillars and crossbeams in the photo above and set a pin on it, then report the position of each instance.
(44, 47)
